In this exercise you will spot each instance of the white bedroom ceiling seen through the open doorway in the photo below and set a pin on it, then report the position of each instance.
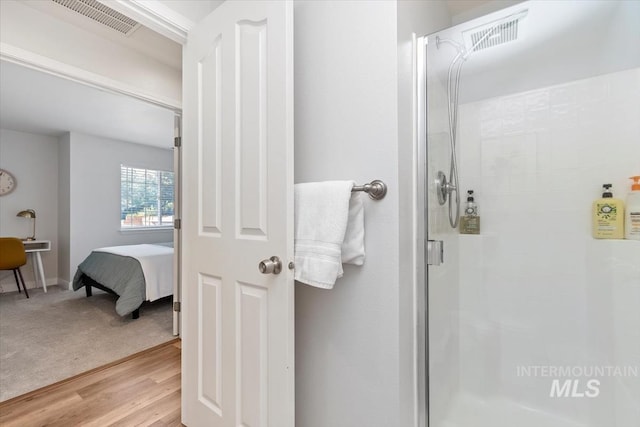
(36, 102)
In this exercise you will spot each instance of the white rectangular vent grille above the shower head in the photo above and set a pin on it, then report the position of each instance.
(493, 34)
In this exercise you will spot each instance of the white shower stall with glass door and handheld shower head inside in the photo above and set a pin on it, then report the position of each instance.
(531, 322)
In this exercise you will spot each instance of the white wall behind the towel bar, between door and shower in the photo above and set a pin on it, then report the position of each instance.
(346, 128)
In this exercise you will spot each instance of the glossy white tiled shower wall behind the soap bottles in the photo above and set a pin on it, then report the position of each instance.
(535, 288)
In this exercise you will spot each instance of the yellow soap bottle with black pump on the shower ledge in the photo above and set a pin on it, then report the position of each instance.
(608, 216)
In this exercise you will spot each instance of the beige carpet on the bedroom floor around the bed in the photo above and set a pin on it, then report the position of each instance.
(52, 336)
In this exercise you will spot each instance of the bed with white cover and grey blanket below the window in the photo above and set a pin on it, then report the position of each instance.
(135, 273)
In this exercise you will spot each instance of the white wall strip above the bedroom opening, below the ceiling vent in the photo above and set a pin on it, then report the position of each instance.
(78, 47)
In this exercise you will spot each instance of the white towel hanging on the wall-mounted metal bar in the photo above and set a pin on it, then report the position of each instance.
(321, 218)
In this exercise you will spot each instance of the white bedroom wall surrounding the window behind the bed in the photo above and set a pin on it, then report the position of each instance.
(95, 215)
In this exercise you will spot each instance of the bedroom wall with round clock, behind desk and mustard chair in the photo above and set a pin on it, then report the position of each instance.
(33, 161)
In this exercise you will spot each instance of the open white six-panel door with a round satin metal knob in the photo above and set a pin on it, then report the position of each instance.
(238, 337)
